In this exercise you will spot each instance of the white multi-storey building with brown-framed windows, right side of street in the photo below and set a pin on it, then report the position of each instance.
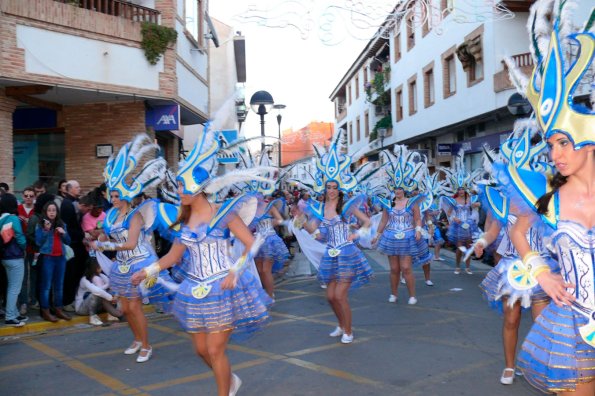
(441, 84)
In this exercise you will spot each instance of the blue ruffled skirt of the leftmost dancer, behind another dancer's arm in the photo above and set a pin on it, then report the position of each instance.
(121, 286)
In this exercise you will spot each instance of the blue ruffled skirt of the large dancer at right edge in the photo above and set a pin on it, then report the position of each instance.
(554, 357)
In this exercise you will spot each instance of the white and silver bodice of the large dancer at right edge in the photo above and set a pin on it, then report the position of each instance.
(575, 247)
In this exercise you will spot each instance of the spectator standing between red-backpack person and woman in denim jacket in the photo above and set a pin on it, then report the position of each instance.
(27, 297)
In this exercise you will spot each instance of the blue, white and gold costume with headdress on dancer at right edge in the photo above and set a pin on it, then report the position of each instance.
(559, 351)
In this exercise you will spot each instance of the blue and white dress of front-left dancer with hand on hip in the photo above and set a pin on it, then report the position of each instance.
(200, 305)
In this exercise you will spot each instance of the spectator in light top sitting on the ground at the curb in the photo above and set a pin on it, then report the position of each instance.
(92, 296)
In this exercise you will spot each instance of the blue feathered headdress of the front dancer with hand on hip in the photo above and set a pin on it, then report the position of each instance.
(197, 173)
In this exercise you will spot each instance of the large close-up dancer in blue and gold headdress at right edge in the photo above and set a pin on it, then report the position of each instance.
(558, 355)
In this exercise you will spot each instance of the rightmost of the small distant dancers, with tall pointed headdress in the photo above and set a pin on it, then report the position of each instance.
(462, 223)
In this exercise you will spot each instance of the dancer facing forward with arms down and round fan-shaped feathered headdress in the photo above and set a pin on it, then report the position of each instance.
(400, 231)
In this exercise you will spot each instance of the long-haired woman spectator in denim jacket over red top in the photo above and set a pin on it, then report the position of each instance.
(52, 237)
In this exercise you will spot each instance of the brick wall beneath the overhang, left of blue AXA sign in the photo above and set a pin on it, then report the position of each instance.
(86, 126)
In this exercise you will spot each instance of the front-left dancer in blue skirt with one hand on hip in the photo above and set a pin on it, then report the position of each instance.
(216, 297)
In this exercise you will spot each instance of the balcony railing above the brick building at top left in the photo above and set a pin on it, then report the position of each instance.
(119, 8)
